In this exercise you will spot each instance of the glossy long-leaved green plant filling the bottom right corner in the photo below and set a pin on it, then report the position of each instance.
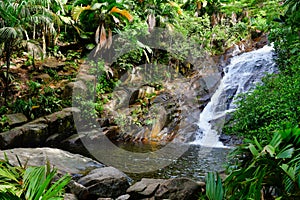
(268, 169)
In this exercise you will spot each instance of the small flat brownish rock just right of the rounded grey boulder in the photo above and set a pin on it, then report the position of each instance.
(144, 188)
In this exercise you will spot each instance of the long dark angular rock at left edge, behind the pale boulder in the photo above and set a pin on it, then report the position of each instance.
(49, 130)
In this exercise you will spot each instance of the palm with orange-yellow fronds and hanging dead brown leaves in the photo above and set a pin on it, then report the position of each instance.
(101, 19)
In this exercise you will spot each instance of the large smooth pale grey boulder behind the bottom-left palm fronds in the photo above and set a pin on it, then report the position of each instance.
(63, 161)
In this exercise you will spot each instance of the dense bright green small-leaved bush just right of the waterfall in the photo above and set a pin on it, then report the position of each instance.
(269, 107)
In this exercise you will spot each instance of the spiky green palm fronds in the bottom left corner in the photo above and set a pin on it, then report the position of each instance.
(30, 183)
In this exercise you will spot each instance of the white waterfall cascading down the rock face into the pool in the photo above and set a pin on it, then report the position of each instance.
(241, 75)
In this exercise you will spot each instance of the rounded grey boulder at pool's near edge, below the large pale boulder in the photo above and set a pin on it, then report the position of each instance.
(105, 182)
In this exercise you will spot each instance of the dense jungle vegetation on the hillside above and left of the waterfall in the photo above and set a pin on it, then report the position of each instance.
(33, 30)
